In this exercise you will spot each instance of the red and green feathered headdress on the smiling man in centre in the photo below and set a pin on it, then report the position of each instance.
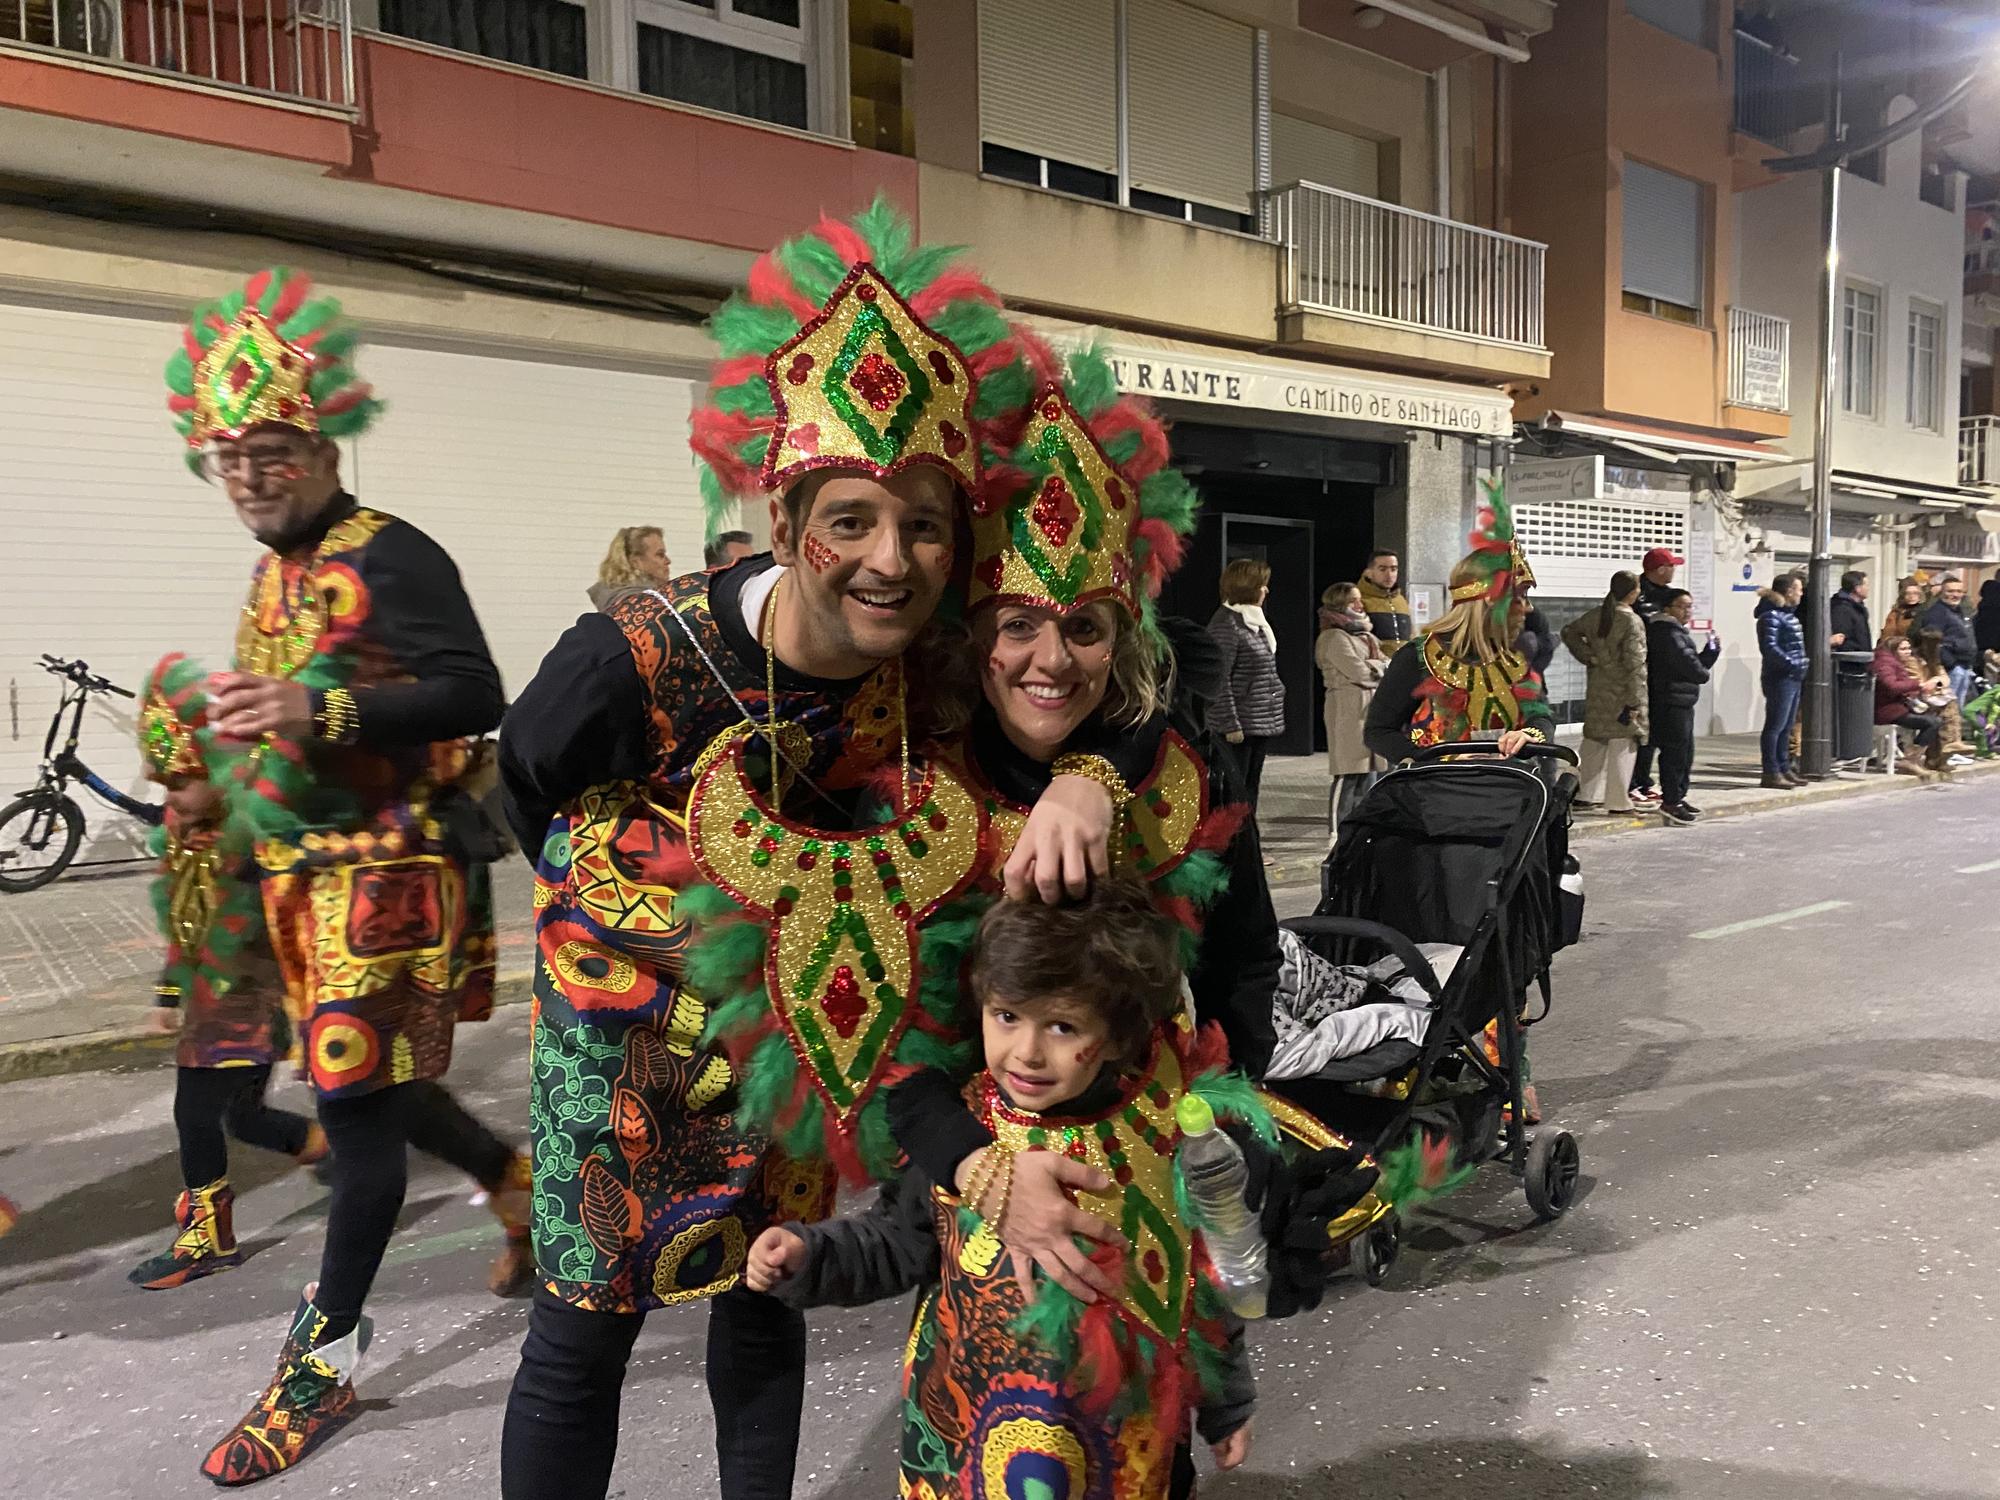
(853, 347)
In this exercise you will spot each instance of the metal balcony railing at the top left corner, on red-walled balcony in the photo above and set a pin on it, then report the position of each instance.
(287, 49)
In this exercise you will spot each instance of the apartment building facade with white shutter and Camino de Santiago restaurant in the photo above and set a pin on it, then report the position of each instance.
(1285, 219)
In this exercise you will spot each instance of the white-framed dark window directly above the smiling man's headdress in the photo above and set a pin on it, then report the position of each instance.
(737, 57)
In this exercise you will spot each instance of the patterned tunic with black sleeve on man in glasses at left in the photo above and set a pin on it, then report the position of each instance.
(381, 929)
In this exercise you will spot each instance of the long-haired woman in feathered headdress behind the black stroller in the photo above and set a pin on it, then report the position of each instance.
(1467, 681)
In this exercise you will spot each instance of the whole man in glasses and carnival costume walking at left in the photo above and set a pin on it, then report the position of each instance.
(361, 675)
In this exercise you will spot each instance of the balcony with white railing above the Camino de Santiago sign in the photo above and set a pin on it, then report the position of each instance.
(1351, 265)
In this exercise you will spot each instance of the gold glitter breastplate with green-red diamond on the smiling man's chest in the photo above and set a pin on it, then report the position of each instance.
(843, 909)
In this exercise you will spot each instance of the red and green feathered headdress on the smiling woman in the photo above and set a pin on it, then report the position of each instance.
(1087, 507)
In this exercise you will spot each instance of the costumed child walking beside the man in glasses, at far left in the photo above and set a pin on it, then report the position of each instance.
(221, 975)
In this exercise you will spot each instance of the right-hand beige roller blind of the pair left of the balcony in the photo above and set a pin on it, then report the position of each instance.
(1193, 105)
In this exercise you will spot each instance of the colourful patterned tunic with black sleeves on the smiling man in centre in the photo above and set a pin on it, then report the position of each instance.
(649, 1189)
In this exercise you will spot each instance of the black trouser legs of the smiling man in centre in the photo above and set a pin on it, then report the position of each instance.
(561, 1431)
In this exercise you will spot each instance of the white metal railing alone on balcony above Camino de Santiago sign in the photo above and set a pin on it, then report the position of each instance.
(1365, 259)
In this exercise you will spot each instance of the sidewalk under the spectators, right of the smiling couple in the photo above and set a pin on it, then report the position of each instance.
(1293, 809)
